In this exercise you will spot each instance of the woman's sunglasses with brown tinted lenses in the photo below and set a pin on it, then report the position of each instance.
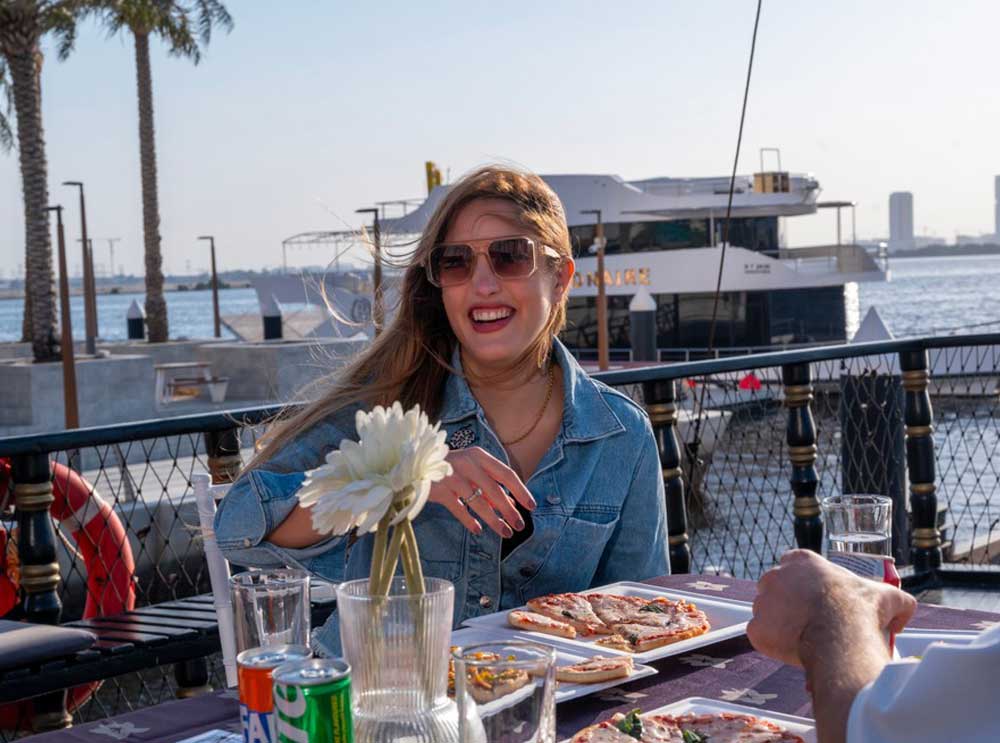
(451, 264)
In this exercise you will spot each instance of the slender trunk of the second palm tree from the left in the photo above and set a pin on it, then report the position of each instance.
(156, 305)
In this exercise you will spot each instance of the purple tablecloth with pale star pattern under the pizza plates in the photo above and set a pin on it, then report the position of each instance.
(729, 670)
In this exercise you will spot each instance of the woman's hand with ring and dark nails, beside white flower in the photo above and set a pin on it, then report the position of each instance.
(474, 487)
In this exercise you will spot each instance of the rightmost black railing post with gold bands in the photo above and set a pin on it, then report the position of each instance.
(925, 541)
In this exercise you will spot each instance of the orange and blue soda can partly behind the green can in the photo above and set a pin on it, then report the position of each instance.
(254, 668)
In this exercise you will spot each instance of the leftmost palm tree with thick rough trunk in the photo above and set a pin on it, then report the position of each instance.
(23, 23)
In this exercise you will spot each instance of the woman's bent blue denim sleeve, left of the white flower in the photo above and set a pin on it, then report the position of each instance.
(262, 498)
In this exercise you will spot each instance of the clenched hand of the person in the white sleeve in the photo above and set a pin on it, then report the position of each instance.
(807, 598)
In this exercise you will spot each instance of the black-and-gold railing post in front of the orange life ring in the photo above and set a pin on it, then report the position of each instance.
(36, 550)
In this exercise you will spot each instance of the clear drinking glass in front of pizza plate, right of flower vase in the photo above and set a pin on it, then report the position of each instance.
(506, 692)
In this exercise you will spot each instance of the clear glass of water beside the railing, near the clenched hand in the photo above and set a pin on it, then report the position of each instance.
(858, 524)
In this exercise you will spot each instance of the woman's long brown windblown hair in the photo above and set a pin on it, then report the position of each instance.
(410, 360)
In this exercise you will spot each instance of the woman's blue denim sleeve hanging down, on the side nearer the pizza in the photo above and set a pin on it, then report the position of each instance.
(638, 547)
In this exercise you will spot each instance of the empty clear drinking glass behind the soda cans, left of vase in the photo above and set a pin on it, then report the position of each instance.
(270, 607)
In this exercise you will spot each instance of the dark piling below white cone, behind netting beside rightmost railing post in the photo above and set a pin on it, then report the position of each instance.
(873, 452)
